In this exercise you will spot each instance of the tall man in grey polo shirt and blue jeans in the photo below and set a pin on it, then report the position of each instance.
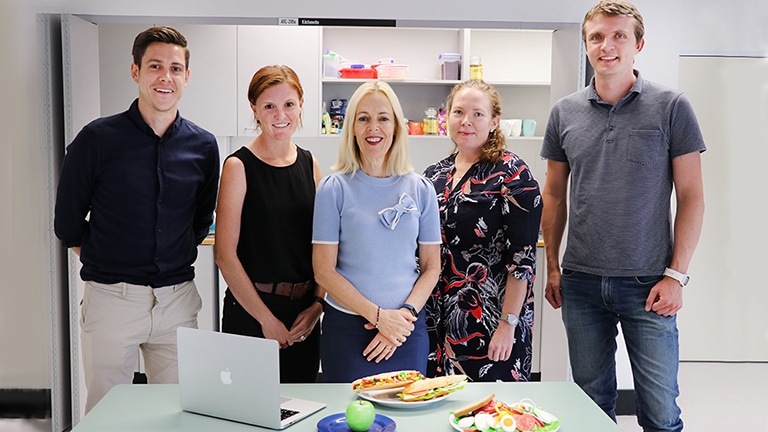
(624, 142)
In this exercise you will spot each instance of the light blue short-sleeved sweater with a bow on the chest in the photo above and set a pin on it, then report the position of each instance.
(378, 224)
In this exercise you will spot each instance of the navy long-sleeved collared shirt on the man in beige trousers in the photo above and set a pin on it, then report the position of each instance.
(137, 204)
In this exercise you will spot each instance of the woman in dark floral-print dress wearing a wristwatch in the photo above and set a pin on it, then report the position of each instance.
(480, 315)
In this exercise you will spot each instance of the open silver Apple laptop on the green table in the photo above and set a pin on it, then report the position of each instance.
(236, 378)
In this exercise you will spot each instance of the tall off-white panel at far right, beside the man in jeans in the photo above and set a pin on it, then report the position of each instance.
(724, 315)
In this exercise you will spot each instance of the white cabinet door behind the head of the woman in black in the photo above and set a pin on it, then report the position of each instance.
(297, 47)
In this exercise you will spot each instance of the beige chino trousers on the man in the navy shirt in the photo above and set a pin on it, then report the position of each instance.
(119, 320)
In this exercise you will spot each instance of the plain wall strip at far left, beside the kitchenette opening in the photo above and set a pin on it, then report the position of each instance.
(24, 216)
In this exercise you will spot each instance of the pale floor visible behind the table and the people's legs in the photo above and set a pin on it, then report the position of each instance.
(713, 396)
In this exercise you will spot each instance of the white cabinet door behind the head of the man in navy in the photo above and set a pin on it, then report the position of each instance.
(208, 98)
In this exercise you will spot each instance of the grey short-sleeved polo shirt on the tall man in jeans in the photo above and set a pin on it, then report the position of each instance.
(620, 157)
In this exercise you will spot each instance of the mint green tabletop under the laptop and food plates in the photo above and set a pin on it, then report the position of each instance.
(155, 407)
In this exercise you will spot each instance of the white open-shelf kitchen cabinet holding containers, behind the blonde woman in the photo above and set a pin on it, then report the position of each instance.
(516, 62)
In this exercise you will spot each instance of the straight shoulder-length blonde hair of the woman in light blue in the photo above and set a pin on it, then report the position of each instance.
(350, 160)
